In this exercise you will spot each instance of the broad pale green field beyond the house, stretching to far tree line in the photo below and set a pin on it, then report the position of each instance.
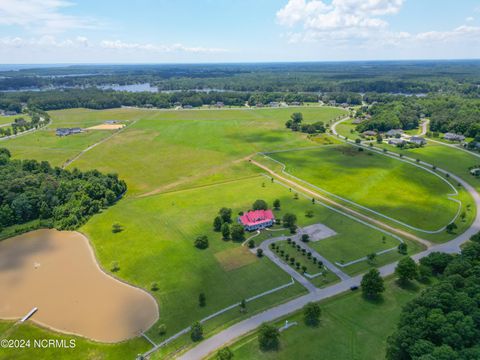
(168, 149)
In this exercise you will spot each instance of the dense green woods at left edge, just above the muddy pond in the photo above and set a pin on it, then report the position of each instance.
(32, 190)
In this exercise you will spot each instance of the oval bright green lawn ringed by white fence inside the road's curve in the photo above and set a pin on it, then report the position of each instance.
(388, 186)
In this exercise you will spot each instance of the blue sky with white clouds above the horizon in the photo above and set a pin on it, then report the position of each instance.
(106, 31)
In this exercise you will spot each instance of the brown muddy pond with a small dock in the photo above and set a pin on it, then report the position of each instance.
(56, 271)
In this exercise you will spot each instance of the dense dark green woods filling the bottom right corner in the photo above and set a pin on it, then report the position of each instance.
(444, 321)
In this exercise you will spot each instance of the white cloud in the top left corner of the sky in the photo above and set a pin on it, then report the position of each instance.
(42, 16)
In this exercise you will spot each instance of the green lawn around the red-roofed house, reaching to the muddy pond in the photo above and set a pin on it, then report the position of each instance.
(158, 236)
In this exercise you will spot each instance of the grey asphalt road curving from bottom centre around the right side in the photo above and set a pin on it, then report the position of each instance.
(228, 335)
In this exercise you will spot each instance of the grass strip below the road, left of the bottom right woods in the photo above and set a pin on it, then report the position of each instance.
(349, 329)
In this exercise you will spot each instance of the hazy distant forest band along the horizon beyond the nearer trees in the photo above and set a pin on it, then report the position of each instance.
(360, 77)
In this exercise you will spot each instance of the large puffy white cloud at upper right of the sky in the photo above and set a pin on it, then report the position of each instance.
(358, 23)
